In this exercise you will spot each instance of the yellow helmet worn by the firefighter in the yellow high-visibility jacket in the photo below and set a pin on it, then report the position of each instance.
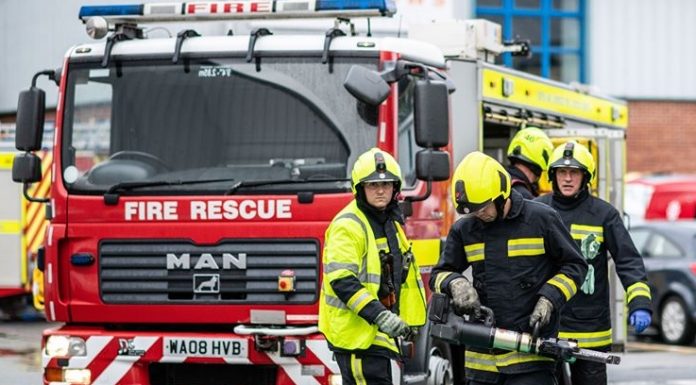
(376, 165)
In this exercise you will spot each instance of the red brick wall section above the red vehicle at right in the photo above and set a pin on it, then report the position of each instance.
(661, 136)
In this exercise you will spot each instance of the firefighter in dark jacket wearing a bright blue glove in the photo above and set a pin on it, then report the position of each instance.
(597, 228)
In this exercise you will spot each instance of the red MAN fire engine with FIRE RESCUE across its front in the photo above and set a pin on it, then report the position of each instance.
(195, 177)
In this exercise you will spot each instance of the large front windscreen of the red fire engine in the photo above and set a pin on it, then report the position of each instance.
(214, 121)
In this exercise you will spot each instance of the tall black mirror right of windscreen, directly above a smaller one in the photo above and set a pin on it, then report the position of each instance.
(431, 114)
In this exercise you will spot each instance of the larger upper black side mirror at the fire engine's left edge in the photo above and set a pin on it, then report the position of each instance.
(31, 109)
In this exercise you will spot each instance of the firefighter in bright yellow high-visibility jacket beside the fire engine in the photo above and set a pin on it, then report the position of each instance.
(372, 293)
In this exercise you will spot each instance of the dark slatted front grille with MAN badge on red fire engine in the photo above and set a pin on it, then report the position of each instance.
(228, 272)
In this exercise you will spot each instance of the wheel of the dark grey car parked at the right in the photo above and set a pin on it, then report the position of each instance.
(676, 326)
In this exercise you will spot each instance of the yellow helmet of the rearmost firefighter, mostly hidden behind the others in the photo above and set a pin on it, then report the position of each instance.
(531, 146)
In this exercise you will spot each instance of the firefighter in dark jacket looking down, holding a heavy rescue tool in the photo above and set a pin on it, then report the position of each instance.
(524, 265)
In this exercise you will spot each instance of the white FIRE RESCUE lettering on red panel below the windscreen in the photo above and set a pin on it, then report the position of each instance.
(248, 209)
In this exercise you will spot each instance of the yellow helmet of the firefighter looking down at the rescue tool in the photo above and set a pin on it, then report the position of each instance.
(477, 181)
